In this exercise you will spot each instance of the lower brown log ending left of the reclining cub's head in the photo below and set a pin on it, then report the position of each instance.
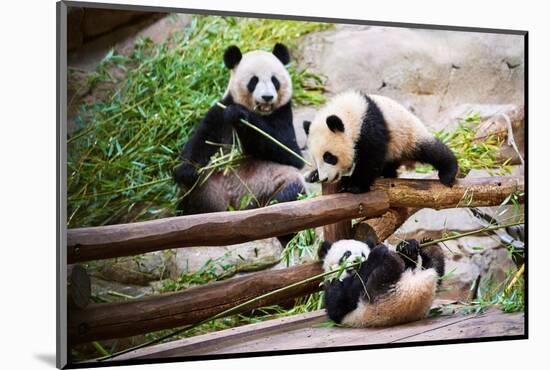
(123, 319)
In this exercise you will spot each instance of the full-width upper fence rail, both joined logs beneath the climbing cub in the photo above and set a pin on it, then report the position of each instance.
(225, 228)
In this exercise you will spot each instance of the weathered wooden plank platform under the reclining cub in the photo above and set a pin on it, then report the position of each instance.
(307, 331)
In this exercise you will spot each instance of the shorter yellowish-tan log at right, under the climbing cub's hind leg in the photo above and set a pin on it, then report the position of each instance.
(427, 193)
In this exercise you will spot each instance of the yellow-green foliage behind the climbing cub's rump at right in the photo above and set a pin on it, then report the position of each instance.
(470, 152)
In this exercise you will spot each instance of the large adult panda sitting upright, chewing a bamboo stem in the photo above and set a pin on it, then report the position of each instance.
(260, 91)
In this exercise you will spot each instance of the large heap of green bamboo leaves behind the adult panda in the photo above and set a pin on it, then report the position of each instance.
(120, 161)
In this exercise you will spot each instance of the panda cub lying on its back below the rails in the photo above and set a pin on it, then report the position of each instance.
(387, 288)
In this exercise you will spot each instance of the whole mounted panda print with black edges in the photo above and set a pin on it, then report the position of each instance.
(254, 185)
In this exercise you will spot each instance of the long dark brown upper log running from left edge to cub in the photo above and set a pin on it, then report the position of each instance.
(220, 228)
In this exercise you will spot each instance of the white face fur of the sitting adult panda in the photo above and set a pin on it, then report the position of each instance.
(263, 65)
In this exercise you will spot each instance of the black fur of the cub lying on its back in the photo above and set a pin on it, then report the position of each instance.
(376, 276)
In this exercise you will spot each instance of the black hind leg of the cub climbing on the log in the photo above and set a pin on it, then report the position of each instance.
(440, 156)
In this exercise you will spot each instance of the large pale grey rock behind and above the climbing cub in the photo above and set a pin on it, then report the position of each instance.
(431, 72)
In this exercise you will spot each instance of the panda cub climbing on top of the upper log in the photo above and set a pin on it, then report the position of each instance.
(357, 138)
